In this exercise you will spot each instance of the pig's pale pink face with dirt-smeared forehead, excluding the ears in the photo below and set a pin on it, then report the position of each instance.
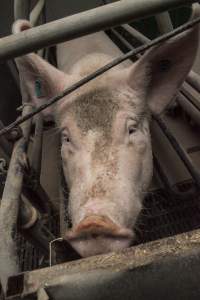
(107, 163)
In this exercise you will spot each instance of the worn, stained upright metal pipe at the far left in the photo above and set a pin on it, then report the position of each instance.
(10, 203)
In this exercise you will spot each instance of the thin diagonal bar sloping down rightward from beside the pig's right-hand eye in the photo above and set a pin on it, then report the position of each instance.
(181, 152)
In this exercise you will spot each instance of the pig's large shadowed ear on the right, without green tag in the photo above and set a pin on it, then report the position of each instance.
(160, 72)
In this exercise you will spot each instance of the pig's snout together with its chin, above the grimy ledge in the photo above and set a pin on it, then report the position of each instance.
(97, 235)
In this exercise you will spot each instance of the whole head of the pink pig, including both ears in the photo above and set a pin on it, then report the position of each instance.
(106, 145)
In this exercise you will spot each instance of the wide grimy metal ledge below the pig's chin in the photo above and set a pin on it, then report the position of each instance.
(164, 269)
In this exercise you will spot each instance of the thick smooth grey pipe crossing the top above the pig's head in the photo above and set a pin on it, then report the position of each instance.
(81, 24)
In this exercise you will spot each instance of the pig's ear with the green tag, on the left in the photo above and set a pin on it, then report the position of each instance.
(39, 81)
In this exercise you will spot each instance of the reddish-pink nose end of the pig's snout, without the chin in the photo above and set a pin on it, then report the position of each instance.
(94, 227)
